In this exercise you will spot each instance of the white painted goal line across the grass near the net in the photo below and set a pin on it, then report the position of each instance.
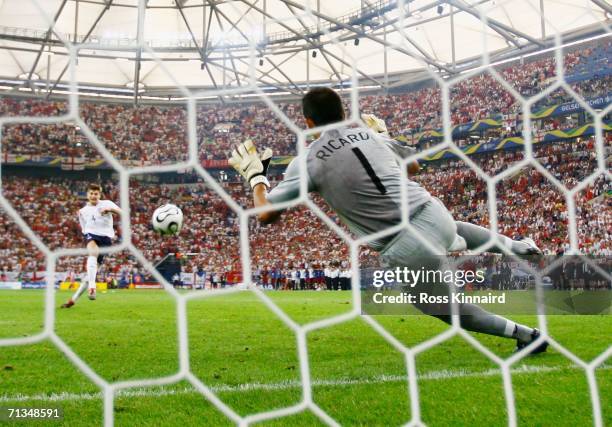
(286, 385)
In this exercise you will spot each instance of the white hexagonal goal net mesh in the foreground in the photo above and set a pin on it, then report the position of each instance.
(301, 331)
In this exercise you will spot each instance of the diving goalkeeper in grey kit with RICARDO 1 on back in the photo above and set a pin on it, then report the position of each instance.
(357, 173)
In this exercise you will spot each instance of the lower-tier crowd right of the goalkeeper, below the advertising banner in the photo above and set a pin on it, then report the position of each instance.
(528, 204)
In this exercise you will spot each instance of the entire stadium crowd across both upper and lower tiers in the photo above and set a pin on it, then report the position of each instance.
(303, 251)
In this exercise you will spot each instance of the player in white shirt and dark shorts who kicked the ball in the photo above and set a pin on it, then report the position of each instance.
(96, 219)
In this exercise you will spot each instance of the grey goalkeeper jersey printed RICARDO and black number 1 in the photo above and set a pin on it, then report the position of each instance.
(358, 175)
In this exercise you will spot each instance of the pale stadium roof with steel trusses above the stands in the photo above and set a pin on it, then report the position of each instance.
(144, 49)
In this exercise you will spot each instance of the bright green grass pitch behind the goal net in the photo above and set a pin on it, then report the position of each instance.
(249, 358)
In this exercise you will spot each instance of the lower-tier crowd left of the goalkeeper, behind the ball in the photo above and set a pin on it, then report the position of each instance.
(211, 228)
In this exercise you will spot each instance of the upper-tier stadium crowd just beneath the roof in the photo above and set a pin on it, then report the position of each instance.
(158, 135)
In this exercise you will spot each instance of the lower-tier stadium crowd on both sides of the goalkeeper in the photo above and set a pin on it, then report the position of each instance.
(527, 205)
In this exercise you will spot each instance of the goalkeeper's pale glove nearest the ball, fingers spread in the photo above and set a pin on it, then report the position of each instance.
(250, 164)
